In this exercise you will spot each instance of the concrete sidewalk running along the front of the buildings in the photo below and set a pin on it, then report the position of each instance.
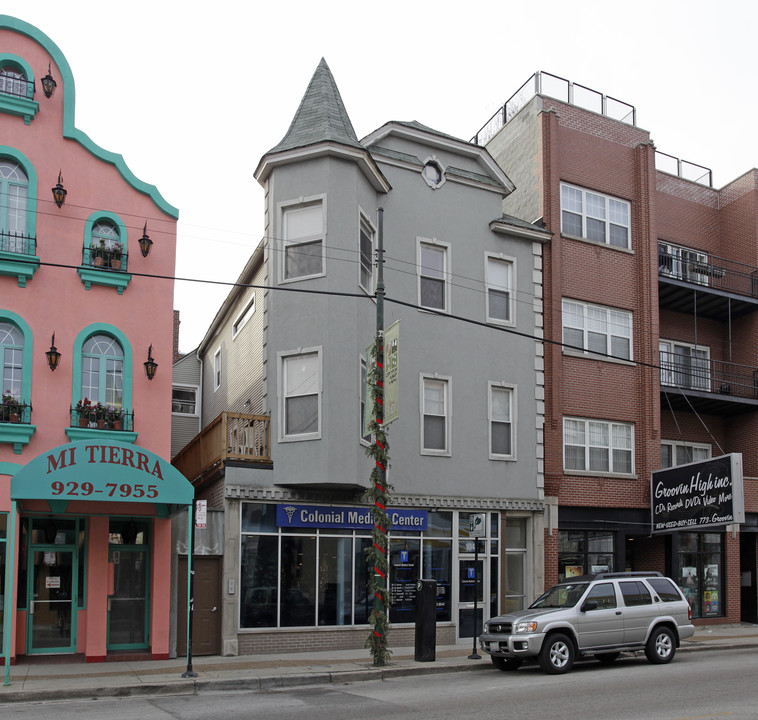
(39, 681)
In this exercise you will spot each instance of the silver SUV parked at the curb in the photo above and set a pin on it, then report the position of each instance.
(601, 615)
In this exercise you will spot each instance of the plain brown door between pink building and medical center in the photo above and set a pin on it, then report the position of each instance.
(206, 623)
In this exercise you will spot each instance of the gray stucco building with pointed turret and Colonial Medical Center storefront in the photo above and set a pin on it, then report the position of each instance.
(281, 457)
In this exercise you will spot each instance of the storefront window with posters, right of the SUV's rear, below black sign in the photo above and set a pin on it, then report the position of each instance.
(699, 572)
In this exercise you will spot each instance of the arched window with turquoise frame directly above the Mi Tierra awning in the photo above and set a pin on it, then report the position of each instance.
(103, 371)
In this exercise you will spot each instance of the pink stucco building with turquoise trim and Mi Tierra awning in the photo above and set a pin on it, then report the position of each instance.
(85, 495)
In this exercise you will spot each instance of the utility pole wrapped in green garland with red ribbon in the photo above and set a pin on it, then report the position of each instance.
(379, 491)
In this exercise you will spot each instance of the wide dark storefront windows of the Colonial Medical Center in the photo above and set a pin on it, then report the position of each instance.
(293, 577)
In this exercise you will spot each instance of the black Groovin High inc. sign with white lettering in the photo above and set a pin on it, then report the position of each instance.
(698, 495)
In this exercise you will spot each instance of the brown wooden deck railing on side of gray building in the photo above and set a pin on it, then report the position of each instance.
(231, 436)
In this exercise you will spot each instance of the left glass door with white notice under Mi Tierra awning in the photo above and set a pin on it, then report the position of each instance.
(51, 601)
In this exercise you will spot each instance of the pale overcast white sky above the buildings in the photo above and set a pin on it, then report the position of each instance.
(193, 94)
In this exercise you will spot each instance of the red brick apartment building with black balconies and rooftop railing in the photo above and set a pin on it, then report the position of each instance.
(651, 323)
